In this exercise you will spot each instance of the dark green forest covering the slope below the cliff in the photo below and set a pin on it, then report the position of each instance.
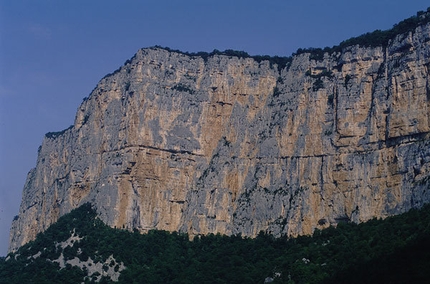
(394, 250)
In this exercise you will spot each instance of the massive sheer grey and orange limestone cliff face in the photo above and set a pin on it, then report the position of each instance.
(229, 145)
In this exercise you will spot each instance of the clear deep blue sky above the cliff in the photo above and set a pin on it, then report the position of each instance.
(53, 53)
